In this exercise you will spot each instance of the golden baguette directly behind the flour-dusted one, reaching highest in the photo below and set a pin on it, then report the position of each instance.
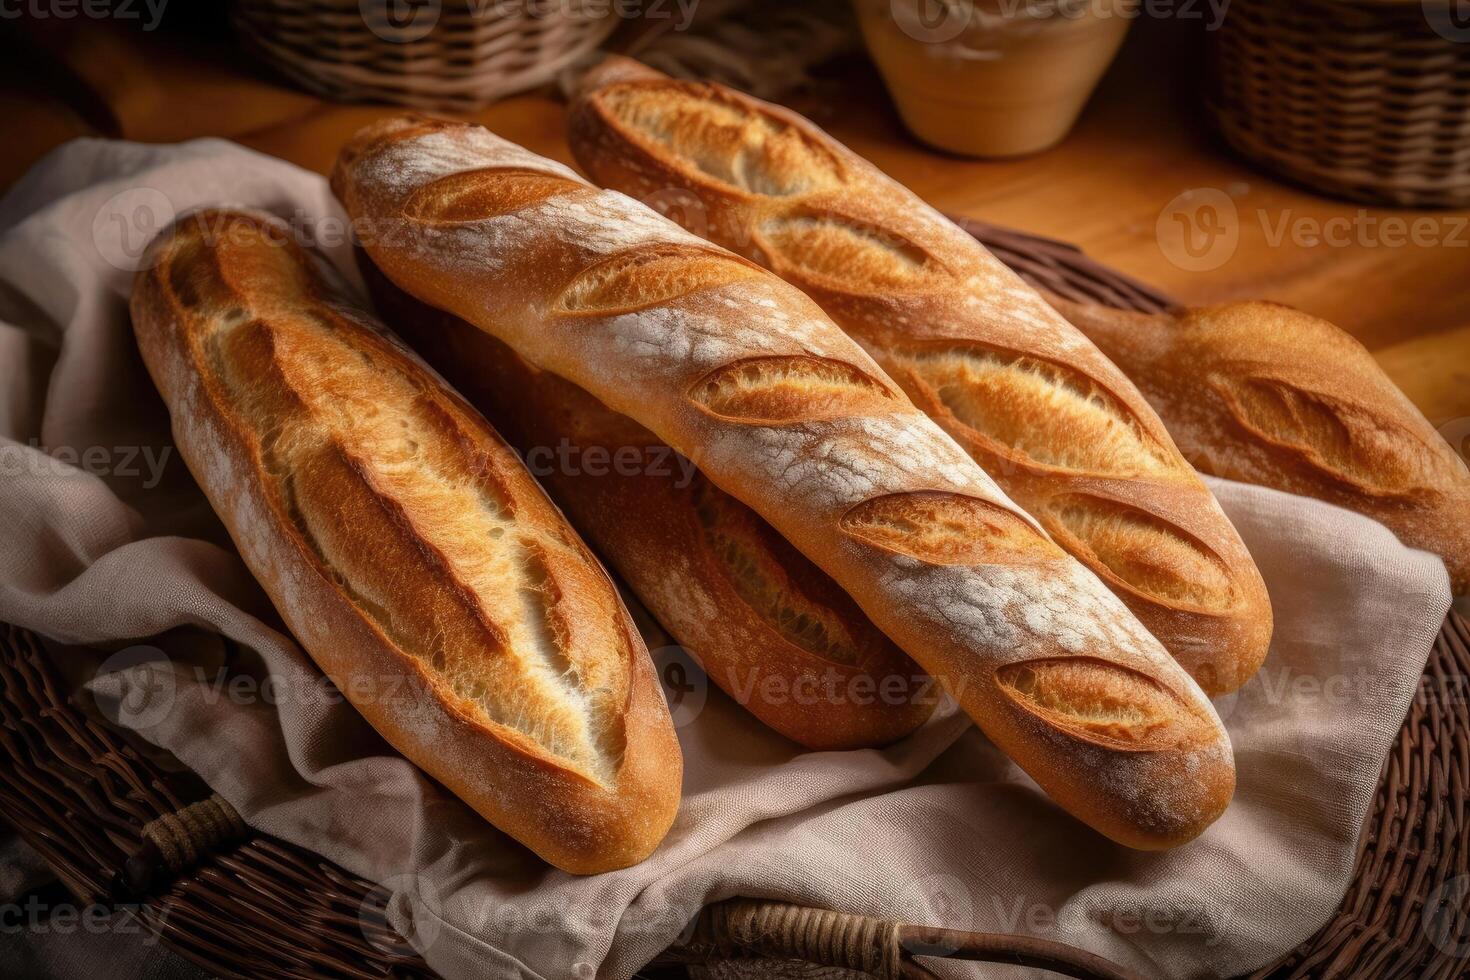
(1041, 409)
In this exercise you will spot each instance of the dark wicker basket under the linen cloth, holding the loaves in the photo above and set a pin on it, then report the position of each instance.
(123, 829)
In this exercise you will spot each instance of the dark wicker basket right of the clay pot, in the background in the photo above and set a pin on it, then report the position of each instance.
(1362, 99)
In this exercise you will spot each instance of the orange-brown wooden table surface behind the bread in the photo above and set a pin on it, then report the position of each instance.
(1140, 168)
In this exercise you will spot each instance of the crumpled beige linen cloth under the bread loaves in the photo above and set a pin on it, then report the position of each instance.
(110, 543)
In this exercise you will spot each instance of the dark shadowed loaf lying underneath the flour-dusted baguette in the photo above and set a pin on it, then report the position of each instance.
(768, 627)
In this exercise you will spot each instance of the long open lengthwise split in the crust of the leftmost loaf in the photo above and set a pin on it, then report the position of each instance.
(399, 455)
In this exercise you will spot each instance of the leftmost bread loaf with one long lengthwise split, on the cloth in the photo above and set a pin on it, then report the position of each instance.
(406, 547)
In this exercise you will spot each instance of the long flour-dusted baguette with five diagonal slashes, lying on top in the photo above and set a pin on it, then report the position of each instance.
(747, 377)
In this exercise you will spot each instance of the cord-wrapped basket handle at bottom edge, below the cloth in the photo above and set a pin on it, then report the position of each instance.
(745, 928)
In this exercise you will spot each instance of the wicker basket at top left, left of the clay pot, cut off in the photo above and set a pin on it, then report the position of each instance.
(449, 55)
